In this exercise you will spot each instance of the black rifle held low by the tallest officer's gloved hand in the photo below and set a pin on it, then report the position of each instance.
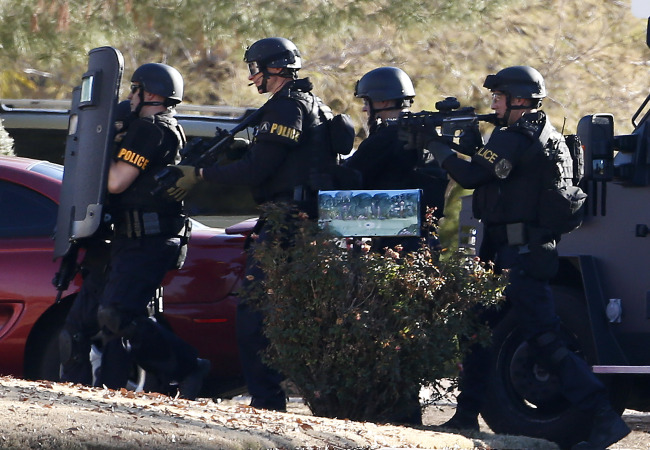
(200, 152)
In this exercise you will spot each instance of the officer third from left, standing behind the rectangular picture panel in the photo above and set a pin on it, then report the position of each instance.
(382, 159)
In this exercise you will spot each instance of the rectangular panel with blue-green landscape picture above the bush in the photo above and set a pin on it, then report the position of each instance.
(367, 213)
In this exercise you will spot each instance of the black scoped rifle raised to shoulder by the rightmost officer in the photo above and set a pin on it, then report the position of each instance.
(449, 122)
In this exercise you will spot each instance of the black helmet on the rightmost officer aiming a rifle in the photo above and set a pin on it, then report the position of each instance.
(518, 82)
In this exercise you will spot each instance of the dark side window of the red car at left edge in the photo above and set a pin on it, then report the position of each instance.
(24, 212)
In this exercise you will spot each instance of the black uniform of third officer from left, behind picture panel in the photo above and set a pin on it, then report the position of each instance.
(384, 163)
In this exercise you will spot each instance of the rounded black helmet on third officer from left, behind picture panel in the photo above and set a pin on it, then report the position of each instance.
(385, 83)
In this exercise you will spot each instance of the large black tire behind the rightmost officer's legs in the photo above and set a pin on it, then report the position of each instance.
(525, 399)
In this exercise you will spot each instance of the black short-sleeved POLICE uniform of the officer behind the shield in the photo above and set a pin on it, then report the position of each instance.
(147, 242)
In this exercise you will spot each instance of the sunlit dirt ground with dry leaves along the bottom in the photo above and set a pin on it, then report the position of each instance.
(45, 415)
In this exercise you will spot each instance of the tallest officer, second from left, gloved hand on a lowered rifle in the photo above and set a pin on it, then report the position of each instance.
(287, 151)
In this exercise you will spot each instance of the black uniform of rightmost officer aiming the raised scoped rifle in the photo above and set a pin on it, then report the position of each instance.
(507, 182)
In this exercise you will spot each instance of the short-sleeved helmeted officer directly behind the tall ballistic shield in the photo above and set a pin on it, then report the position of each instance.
(149, 238)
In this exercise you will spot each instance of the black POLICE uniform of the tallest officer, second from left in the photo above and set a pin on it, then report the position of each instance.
(288, 149)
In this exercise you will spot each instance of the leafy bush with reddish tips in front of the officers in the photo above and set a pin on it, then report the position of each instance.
(356, 331)
